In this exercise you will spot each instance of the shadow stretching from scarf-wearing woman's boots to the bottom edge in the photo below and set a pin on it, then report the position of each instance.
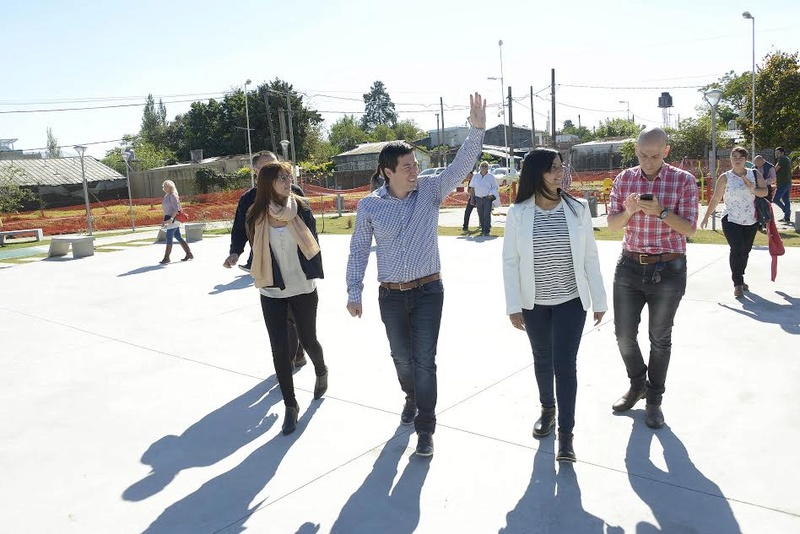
(224, 502)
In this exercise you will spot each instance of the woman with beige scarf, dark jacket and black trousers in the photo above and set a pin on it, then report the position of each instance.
(286, 260)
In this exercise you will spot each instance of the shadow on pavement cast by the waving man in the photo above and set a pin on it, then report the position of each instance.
(376, 506)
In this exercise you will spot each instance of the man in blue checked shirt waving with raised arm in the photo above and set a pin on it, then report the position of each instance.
(403, 216)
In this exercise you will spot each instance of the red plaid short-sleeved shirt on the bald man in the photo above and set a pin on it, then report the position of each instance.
(675, 189)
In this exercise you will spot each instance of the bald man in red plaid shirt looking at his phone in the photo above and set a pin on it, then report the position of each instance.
(656, 203)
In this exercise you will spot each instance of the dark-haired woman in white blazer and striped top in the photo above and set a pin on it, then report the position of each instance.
(552, 277)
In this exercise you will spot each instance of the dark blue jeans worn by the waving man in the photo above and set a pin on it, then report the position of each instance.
(412, 319)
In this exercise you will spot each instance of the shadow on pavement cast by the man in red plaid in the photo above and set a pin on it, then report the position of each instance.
(681, 498)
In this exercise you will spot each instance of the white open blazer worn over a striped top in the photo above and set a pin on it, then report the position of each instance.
(518, 278)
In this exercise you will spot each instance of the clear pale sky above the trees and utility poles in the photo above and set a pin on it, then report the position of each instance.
(57, 53)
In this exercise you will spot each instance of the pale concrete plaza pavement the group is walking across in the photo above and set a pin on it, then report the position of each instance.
(141, 398)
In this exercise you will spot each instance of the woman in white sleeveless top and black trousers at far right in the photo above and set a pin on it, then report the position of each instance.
(740, 186)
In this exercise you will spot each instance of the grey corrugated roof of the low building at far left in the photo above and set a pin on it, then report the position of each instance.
(56, 171)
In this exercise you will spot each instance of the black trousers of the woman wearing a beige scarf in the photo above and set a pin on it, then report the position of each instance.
(304, 310)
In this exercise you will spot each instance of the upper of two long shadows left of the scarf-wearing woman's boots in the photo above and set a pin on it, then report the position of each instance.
(213, 438)
